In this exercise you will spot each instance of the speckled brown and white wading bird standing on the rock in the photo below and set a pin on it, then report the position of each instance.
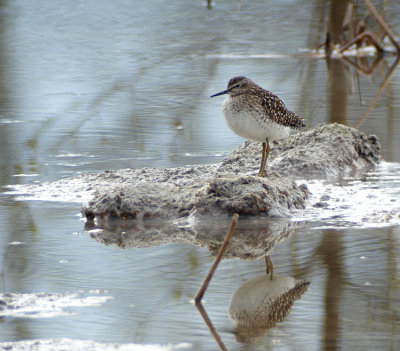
(257, 114)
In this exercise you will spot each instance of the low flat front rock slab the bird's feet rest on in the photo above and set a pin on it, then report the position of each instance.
(212, 195)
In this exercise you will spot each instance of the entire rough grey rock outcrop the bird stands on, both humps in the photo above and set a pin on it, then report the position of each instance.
(327, 151)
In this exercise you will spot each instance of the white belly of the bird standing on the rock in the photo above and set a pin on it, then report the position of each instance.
(248, 126)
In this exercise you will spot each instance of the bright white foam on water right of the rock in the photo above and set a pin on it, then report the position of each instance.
(370, 201)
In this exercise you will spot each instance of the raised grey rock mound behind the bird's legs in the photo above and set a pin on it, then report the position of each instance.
(326, 151)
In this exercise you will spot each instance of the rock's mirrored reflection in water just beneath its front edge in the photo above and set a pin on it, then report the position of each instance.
(254, 238)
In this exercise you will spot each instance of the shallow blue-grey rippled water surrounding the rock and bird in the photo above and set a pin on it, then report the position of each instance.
(97, 85)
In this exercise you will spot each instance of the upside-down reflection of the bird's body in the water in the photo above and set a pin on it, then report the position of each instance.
(260, 303)
